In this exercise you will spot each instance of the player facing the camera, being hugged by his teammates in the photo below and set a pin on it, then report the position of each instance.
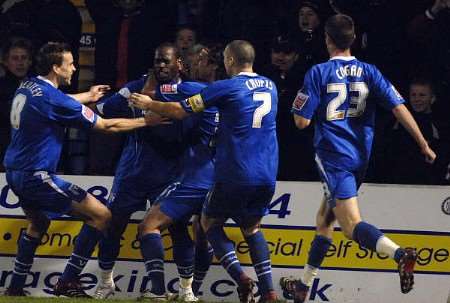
(150, 161)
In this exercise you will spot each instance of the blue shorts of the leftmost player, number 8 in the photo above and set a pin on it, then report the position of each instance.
(44, 191)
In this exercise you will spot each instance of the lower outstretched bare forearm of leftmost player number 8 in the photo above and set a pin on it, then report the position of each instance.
(122, 125)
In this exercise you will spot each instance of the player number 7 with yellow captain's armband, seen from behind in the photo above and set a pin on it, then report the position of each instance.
(246, 161)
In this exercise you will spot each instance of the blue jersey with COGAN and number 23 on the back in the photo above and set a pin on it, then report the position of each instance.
(342, 95)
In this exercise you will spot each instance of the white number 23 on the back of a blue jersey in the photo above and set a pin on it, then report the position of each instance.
(357, 103)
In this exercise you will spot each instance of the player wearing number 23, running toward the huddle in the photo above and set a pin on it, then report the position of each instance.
(337, 94)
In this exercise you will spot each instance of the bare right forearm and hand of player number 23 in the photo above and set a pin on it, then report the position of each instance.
(407, 121)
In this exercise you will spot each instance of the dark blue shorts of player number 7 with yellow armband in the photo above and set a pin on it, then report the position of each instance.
(238, 201)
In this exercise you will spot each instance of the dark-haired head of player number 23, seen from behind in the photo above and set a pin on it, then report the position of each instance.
(341, 30)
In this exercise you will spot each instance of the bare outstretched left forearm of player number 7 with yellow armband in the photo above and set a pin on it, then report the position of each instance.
(172, 110)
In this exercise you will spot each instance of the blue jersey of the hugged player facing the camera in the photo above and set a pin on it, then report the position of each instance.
(151, 155)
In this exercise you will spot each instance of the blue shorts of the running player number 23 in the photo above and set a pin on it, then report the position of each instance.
(339, 183)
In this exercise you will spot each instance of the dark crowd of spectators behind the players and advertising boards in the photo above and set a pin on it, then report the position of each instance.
(409, 41)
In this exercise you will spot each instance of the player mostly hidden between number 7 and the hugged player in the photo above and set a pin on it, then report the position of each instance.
(185, 198)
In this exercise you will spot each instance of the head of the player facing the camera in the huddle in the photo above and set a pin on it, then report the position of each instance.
(166, 65)
